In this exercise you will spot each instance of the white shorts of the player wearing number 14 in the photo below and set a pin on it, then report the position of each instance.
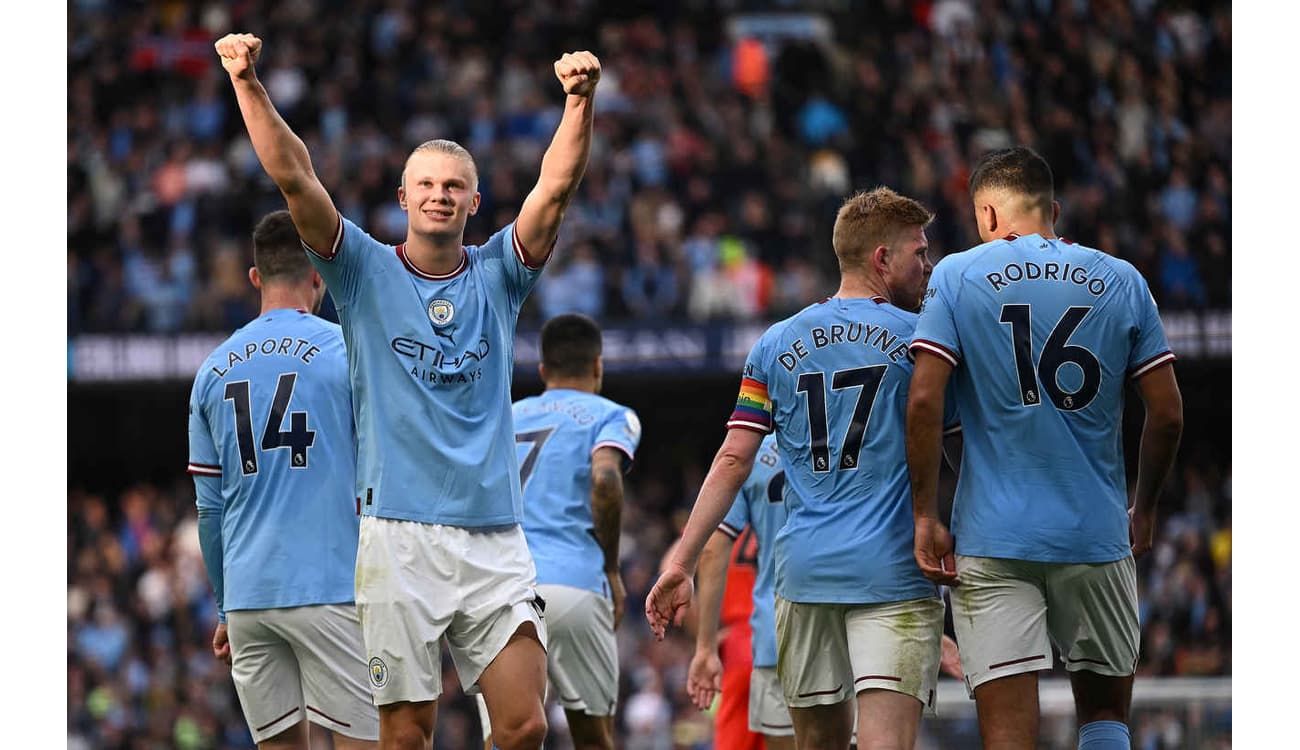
(302, 664)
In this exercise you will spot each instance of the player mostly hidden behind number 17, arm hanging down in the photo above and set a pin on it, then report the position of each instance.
(761, 510)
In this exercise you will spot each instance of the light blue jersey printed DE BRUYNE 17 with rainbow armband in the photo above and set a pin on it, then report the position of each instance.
(833, 381)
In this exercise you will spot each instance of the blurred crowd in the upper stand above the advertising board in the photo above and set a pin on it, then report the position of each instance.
(725, 142)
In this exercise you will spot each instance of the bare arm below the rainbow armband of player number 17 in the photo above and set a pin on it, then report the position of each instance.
(730, 470)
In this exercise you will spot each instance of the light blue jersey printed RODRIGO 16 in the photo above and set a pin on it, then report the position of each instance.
(1043, 336)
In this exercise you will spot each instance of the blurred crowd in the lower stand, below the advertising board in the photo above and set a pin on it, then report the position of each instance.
(142, 677)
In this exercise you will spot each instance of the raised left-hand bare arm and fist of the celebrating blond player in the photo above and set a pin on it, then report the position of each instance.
(281, 153)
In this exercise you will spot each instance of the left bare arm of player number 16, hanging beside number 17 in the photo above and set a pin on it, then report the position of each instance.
(933, 544)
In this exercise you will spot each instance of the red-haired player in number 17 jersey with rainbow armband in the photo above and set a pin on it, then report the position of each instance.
(855, 615)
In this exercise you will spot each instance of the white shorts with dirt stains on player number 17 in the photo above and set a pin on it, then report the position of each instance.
(830, 653)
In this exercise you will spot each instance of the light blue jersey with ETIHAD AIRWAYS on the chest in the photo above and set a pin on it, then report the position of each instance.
(431, 362)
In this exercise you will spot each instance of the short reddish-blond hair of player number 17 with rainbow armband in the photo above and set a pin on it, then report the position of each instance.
(872, 219)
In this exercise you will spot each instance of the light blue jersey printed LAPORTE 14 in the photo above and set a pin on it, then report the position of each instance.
(272, 450)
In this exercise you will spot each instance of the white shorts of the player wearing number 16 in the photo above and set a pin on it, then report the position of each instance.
(1009, 613)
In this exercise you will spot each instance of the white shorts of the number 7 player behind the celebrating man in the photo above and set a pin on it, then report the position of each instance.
(582, 652)
